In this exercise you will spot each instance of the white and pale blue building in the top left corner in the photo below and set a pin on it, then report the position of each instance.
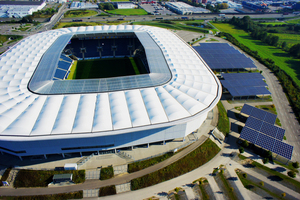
(19, 9)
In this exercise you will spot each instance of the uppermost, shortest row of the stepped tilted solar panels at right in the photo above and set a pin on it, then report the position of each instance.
(259, 114)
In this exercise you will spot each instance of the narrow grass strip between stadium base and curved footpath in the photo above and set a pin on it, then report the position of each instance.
(137, 166)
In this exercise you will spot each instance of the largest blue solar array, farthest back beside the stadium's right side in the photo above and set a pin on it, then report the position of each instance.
(223, 56)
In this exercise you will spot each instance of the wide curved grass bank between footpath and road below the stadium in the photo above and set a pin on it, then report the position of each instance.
(193, 160)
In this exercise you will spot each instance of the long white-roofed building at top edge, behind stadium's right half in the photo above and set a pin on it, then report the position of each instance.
(184, 9)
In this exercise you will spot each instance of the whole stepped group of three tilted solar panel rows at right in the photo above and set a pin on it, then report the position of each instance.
(260, 130)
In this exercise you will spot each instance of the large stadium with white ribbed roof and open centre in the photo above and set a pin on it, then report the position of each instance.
(49, 105)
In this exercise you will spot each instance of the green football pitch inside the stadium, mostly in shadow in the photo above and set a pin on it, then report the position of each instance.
(106, 68)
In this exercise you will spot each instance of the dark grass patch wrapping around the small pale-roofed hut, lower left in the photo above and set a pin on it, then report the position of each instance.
(36, 178)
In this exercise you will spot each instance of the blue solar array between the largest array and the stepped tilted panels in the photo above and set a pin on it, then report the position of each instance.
(245, 84)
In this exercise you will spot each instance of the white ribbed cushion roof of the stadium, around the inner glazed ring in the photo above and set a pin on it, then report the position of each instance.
(190, 90)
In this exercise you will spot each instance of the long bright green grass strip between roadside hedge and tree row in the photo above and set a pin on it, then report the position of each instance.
(287, 63)
